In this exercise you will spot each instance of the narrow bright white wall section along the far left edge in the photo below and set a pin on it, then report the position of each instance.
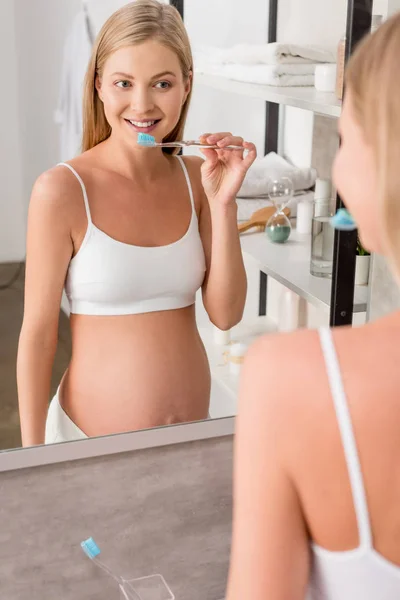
(11, 206)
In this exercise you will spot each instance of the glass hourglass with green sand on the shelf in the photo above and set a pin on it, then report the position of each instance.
(280, 192)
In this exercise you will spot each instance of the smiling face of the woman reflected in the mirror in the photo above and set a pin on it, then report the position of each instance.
(142, 90)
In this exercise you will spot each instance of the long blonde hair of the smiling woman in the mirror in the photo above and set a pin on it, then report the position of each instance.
(134, 23)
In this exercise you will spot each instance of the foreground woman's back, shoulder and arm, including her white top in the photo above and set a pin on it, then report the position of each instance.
(296, 528)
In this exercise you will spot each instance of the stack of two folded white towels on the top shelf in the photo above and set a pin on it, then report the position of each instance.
(276, 64)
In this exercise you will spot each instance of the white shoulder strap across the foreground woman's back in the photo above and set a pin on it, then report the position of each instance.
(347, 435)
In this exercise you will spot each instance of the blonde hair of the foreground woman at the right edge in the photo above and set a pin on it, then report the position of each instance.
(373, 79)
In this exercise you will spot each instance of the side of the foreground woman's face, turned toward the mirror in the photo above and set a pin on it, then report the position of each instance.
(355, 177)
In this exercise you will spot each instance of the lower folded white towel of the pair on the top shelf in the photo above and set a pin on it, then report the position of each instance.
(276, 75)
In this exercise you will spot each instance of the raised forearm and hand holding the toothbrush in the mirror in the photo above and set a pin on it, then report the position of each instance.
(225, 285)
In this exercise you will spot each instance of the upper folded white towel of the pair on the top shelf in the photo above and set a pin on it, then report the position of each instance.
(271, 54)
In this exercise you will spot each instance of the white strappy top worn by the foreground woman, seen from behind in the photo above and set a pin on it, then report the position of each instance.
(363, 573)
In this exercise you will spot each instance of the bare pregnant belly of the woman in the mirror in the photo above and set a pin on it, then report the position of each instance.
(136, 372)
